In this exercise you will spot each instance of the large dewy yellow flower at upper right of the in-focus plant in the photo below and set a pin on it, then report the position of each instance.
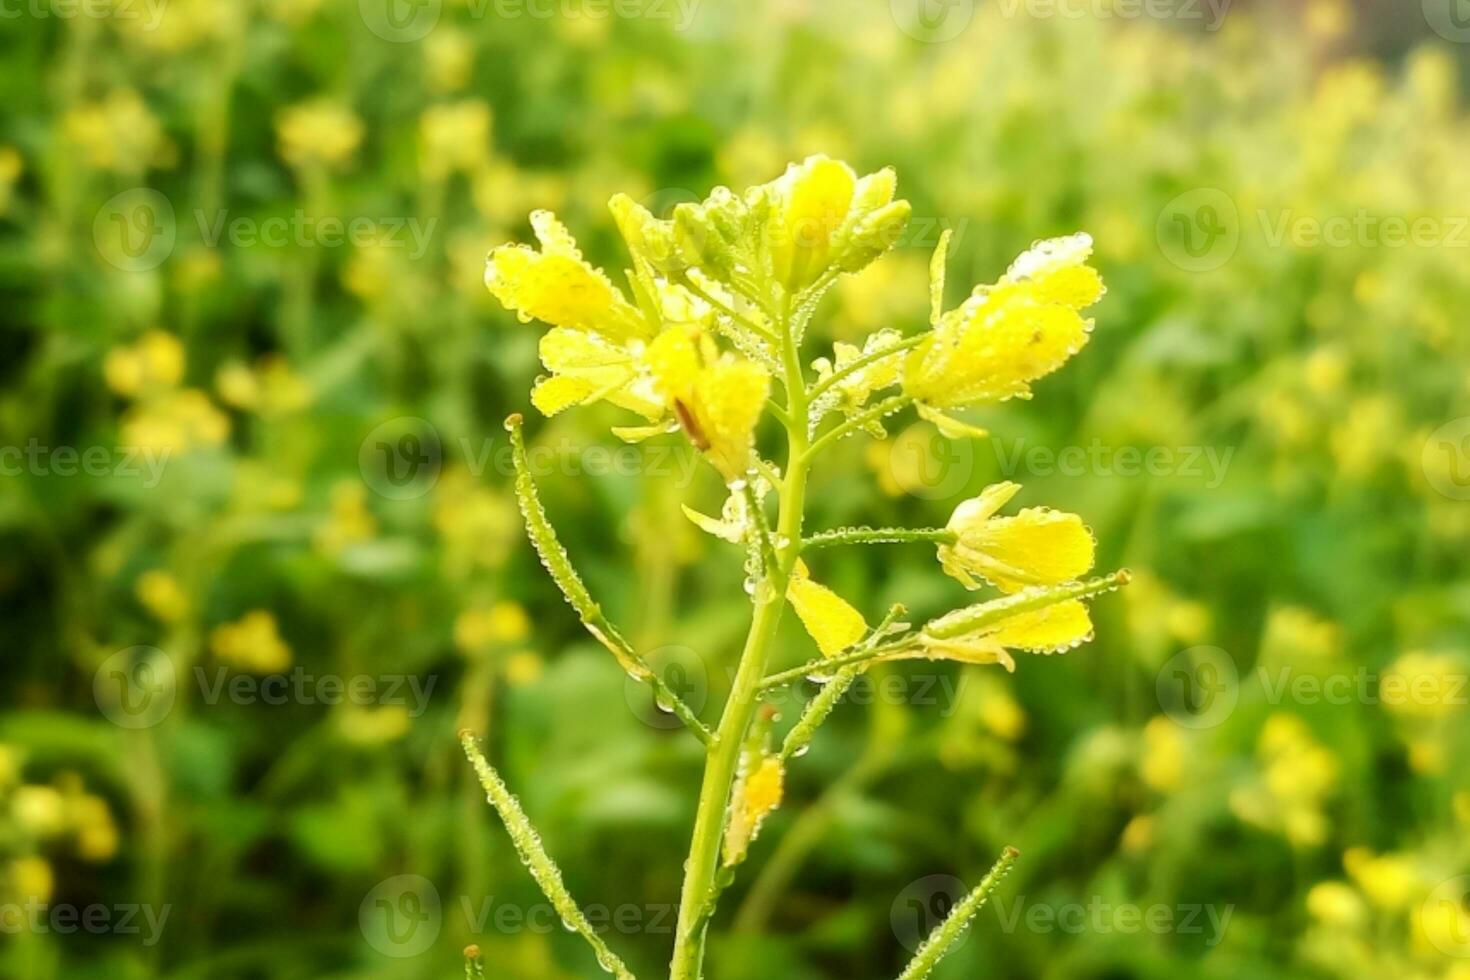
(1009, 334)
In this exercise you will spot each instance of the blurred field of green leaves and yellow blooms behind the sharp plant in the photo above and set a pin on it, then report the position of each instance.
(259, 563)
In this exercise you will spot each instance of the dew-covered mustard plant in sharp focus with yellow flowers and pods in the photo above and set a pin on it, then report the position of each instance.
(711, 340)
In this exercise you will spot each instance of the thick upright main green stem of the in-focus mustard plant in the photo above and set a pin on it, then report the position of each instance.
(723, 757)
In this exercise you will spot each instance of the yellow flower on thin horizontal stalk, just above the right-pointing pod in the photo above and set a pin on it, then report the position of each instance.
(1036, 547)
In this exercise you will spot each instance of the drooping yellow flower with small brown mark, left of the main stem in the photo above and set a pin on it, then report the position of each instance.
(717, 397)
